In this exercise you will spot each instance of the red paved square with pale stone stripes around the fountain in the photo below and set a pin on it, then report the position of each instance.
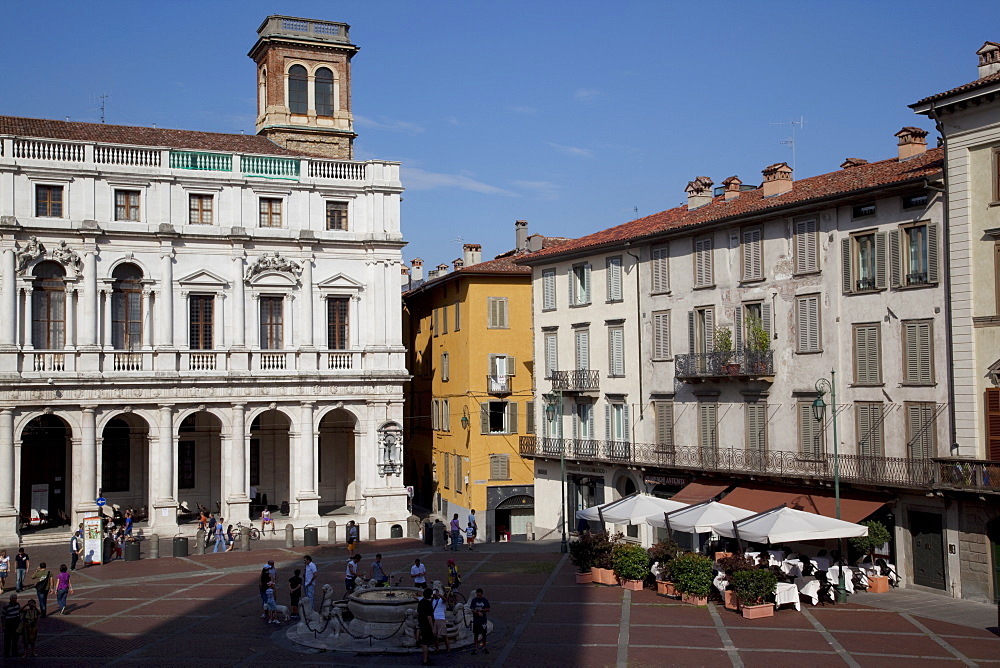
(173, 611)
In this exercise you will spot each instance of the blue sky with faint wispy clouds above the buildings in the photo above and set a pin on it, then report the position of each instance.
(571, 115)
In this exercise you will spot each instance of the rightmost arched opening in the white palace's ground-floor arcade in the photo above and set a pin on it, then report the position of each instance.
(336, 461)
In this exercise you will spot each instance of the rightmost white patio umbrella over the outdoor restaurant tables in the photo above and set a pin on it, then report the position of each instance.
(785, 525)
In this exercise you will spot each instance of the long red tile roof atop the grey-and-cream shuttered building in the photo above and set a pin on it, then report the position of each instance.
(752, 202)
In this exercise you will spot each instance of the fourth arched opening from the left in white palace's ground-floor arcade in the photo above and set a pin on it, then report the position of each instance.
(269, 459)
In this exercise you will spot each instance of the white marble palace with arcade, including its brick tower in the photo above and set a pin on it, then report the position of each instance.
(188, 316)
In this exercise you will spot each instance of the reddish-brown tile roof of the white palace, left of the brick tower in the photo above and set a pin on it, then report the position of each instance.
(139, 136)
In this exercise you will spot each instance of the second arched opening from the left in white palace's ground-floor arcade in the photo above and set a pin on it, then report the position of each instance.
(125, 463)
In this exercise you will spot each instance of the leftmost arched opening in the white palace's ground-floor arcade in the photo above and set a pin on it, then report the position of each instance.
(45, 474)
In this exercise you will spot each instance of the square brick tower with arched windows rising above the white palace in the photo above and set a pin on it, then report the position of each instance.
(304, 85)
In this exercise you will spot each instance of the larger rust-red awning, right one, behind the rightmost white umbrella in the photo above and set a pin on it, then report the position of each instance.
(854, 507)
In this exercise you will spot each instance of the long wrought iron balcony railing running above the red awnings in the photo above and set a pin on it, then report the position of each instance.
(888, 471)
